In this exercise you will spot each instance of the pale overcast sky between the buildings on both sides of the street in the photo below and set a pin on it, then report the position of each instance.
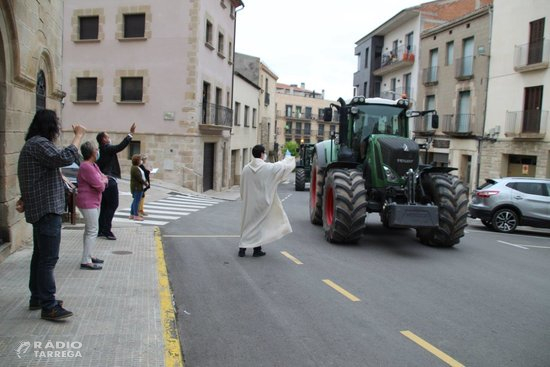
(312, 41)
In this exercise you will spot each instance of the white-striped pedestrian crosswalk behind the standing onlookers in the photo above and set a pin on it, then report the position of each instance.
(171, 208)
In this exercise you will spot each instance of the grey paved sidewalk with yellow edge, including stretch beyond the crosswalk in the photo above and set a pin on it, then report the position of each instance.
(123, 314)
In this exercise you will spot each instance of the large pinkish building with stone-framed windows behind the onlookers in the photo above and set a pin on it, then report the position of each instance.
(166, 66)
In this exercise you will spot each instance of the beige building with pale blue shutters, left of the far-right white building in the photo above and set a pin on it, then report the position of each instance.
(454, 62)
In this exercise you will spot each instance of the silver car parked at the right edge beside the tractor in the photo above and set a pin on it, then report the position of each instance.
(505, 203)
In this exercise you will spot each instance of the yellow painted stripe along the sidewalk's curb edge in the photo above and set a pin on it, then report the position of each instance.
(172, 349)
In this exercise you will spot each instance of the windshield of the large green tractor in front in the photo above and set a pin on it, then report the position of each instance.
(380, 119)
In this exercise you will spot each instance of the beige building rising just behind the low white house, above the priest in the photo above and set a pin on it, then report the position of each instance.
(258, 72)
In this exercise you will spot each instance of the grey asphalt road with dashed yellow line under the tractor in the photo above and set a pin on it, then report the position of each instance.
(386, 301)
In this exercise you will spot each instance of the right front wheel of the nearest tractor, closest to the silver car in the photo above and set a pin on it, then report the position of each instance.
(451, 197)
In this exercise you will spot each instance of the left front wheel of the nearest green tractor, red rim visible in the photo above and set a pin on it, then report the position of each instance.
(344, 206)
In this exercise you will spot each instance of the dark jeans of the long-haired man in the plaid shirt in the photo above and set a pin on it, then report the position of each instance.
(46, 238)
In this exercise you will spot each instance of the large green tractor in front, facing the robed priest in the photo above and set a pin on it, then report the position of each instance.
(374, 167)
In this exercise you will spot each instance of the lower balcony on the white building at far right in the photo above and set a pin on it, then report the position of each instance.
(526, 125)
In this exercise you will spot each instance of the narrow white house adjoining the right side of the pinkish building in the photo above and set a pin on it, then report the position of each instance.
(244, 134)
